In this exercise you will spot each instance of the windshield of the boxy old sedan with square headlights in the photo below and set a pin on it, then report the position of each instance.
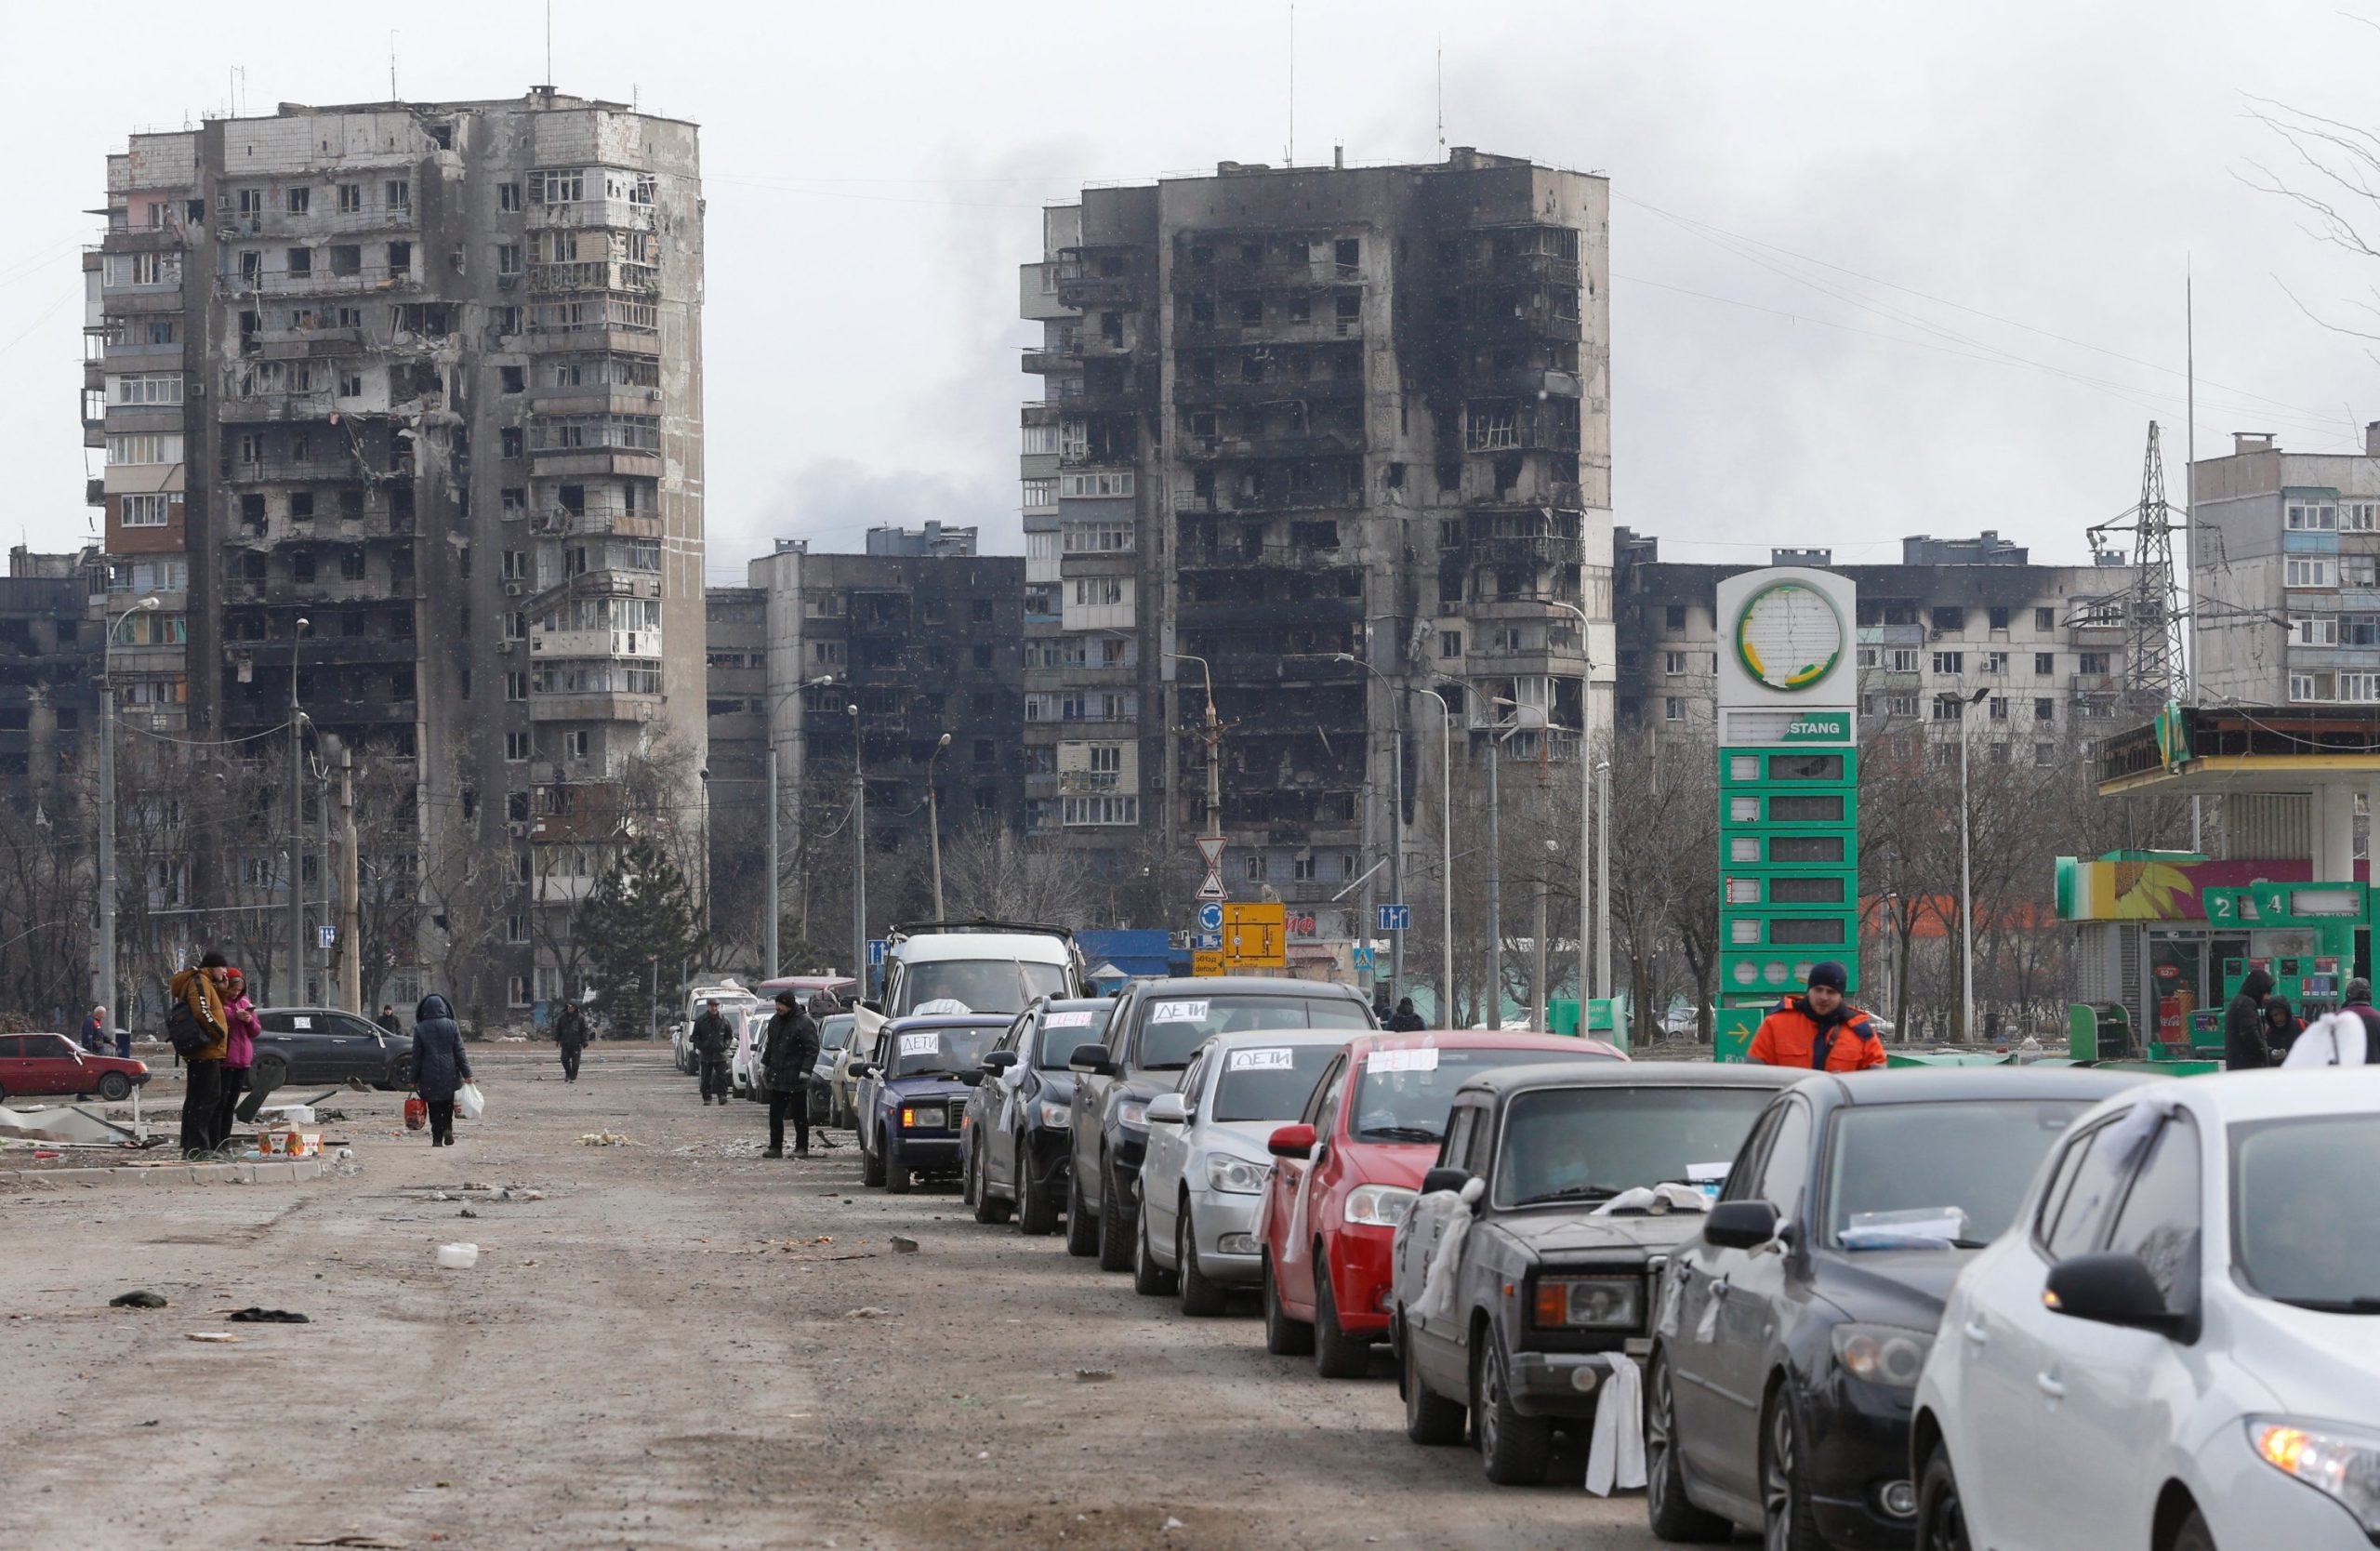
(1593, 1143)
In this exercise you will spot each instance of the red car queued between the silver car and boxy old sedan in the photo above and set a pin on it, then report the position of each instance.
(1348, 1174)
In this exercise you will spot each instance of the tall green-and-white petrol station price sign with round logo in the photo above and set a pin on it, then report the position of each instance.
(1789, 791)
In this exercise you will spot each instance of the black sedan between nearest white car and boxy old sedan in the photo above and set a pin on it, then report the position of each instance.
(1793, 1329)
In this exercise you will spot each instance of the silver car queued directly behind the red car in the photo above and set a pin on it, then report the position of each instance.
(1205, 1169)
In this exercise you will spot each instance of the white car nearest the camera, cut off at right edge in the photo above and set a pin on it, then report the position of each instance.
(2177, 1348)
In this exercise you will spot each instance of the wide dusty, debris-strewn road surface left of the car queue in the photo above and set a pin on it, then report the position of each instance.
(668, 1350)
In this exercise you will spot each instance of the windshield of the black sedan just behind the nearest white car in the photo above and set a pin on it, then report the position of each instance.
(1936, 1176)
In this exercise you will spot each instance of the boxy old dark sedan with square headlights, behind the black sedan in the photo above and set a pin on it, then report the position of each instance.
(1551, 1148)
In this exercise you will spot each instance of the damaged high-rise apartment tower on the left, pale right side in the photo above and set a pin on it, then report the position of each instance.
(403, 401)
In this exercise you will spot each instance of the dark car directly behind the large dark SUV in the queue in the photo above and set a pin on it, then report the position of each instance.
(1015, 1134)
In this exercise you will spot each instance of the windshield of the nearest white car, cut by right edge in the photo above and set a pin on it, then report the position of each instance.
(2298, 1238)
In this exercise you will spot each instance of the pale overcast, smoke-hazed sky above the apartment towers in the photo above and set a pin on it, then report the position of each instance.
(1879, 270)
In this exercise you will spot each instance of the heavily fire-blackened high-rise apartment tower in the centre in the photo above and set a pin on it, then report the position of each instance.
(1334, 437)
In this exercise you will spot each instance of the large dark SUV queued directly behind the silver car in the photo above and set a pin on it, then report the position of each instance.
(1155, 1029)
